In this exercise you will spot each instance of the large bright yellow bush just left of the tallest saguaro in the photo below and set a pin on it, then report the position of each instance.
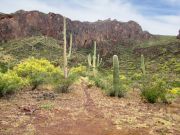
(38, 71)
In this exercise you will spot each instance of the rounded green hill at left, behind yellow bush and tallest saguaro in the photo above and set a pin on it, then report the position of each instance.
(13, 51)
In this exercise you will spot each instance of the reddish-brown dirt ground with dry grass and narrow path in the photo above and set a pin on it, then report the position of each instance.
(85, 111)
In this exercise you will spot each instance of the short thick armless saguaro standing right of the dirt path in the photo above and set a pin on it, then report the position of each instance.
(116, 79)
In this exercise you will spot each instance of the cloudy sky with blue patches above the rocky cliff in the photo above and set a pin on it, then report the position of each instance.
(155, 16)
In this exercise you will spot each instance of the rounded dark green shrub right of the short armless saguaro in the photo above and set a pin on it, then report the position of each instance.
(154, 90)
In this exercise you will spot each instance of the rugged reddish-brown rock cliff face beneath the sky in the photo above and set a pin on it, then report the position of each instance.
(23, 24)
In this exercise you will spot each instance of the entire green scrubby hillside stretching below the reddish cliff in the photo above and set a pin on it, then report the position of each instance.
(161, 54)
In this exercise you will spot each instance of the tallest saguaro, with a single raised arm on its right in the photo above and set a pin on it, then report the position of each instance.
(65, 50)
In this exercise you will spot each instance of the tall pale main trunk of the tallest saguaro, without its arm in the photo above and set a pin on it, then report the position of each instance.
(64, 54)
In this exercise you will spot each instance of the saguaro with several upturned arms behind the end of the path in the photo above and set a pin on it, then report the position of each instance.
(94, 61)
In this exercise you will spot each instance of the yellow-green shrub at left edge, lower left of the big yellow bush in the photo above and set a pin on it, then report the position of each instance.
(10, 82)
